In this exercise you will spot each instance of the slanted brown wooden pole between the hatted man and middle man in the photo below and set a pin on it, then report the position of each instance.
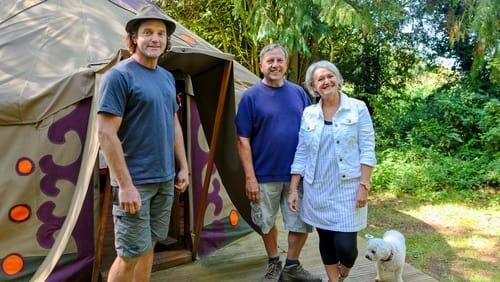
(211, 156)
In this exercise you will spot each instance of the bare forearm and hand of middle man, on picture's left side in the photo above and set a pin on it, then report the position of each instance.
(251, 184)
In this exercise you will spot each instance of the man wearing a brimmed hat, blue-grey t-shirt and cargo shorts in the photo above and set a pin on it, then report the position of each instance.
(141, 138)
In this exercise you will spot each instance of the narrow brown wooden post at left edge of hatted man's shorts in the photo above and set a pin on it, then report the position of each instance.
(96, 268)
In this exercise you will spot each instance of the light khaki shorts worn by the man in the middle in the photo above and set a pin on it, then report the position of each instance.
(272, 196)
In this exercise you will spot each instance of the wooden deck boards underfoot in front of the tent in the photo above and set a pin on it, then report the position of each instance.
(245, 260)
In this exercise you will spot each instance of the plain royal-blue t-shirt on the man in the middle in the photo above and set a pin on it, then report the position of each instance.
(270, 117)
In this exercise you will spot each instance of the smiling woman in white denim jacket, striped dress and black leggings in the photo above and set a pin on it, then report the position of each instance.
(335, 157)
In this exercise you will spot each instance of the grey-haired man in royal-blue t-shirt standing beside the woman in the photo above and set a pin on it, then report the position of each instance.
(268, 122)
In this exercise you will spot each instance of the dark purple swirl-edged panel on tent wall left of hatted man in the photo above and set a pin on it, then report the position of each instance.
(81, 268)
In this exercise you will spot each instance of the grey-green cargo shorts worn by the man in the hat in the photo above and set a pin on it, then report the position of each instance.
(134, 233)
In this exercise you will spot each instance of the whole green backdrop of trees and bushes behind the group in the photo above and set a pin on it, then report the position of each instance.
(436, 130)
